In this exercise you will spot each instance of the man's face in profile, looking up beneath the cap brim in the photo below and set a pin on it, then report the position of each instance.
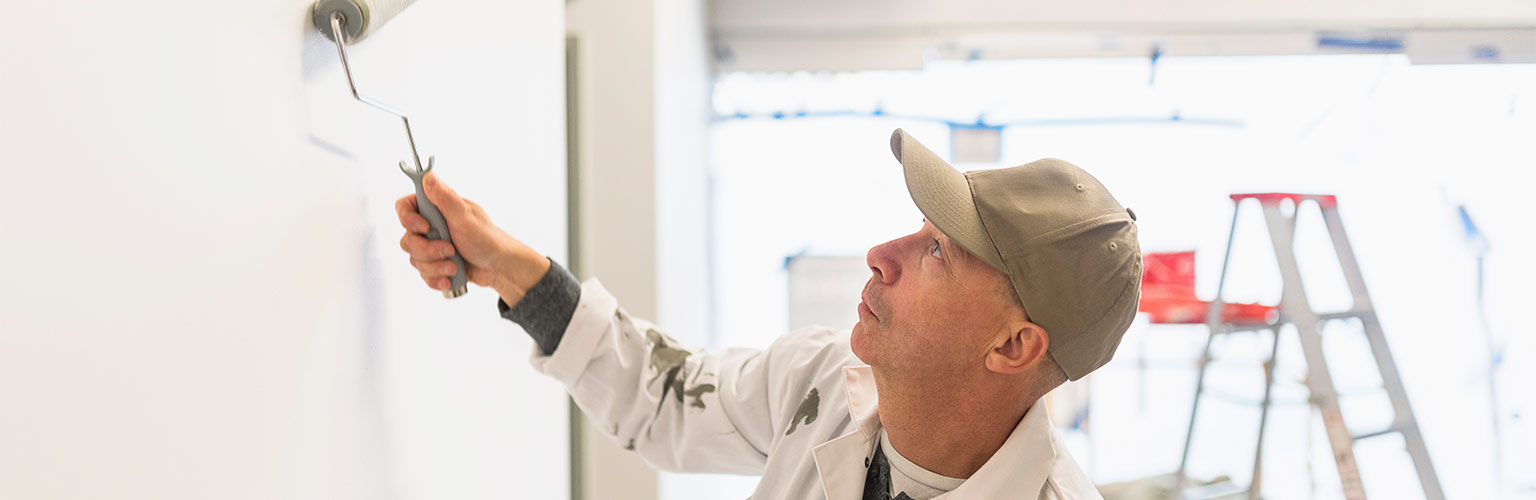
(930, 308)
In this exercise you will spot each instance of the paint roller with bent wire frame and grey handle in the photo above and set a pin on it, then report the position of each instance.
(348, 22)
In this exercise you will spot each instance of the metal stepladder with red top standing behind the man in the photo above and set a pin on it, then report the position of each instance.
(1296, 311)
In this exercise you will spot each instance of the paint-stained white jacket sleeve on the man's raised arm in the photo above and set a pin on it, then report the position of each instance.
(678, 409)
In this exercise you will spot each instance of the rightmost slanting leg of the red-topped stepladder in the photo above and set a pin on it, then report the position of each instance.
(1405, 423)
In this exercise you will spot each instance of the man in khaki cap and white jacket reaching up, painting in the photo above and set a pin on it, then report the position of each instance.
(1019, 281)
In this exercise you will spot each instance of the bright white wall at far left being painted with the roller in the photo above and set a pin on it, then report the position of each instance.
(204, 295)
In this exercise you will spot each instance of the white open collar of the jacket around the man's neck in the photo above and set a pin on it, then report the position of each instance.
(1018, 470)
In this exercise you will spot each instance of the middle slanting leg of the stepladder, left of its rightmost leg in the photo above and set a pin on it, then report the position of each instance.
(1297, 309)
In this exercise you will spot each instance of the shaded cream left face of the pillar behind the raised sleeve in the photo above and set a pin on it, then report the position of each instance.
(617, 196)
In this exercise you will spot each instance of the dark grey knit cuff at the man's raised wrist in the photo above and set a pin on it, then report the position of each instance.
(548, 309)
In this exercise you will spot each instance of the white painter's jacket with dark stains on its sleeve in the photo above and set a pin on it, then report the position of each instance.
(803, 413)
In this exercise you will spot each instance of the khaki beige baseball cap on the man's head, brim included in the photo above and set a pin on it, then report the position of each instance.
(1065, 243)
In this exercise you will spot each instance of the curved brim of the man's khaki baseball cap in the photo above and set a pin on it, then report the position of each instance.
(944, 196)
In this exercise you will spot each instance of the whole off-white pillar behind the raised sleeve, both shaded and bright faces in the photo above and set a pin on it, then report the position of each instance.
(643, 97)
